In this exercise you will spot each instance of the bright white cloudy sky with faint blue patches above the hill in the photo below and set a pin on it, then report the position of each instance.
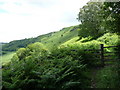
(21, 19)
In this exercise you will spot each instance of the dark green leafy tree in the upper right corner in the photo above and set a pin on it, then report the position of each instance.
(112, 15)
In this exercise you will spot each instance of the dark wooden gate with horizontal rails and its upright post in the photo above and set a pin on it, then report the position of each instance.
(103, 54)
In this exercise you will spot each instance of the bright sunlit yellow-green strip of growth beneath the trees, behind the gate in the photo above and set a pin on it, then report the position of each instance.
(108, 39)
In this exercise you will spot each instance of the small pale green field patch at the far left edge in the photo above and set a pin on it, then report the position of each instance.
(7, 57)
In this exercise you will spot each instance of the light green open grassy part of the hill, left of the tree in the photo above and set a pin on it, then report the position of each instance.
(59, 37)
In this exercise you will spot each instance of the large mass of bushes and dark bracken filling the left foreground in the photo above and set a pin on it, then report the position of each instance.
(35, 67)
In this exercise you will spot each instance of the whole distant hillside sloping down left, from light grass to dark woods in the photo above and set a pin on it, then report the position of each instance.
(50, 39)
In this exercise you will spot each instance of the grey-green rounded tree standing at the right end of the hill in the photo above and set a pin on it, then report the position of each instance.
(91, 17)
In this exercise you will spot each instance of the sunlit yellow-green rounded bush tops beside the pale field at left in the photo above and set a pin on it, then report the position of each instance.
(32, 50)
